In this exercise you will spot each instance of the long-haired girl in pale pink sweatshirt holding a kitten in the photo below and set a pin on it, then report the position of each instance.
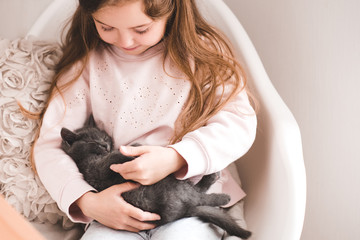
(151, 72)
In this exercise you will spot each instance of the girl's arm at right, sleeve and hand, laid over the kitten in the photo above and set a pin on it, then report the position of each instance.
(227, 136)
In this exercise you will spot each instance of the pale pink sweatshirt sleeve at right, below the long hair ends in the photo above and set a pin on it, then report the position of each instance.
(227, 136)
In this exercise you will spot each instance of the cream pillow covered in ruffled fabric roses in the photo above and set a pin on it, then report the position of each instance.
(26, 71)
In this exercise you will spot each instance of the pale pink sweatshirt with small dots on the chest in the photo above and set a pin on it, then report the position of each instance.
(136, 101)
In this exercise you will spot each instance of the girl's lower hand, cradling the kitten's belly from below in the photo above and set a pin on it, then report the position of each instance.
(111, 210)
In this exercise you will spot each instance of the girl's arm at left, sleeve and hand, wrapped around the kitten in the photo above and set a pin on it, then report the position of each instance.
(60, 175)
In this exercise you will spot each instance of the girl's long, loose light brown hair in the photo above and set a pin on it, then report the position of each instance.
(200, 51)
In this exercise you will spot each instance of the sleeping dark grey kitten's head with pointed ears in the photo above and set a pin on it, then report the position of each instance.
(88, 140)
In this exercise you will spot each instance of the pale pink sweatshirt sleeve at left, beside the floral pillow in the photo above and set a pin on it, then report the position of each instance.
(56, 170)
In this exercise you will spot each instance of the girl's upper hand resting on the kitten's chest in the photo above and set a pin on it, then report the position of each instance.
(152, 163)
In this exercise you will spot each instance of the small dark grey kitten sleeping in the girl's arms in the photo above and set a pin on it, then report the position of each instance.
(92, 150)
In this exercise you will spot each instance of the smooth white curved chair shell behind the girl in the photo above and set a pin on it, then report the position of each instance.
(272, 172)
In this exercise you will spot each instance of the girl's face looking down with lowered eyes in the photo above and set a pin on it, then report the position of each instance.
(127, 27)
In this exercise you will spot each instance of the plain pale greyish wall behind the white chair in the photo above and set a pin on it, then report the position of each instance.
(311, 50)
